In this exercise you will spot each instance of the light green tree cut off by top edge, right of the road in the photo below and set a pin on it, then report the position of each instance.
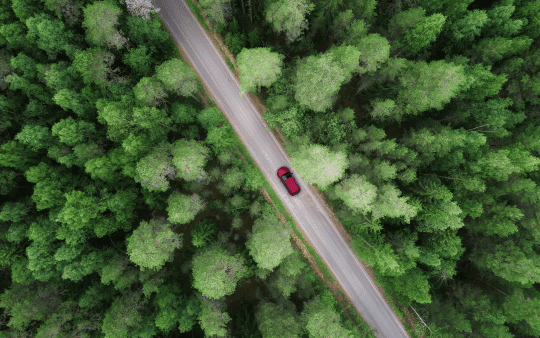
(289, 17)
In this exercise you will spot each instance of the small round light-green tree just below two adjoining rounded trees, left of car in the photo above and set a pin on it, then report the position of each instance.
(182, 208)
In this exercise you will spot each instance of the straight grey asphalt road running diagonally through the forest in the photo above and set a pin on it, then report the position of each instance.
(268, 154)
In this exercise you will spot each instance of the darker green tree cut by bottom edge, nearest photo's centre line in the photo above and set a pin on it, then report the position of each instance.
(278, 320)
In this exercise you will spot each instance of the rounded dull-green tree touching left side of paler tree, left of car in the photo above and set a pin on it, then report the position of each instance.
(153, 169)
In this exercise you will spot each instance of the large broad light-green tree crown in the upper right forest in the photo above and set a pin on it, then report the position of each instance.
(429, 86)
